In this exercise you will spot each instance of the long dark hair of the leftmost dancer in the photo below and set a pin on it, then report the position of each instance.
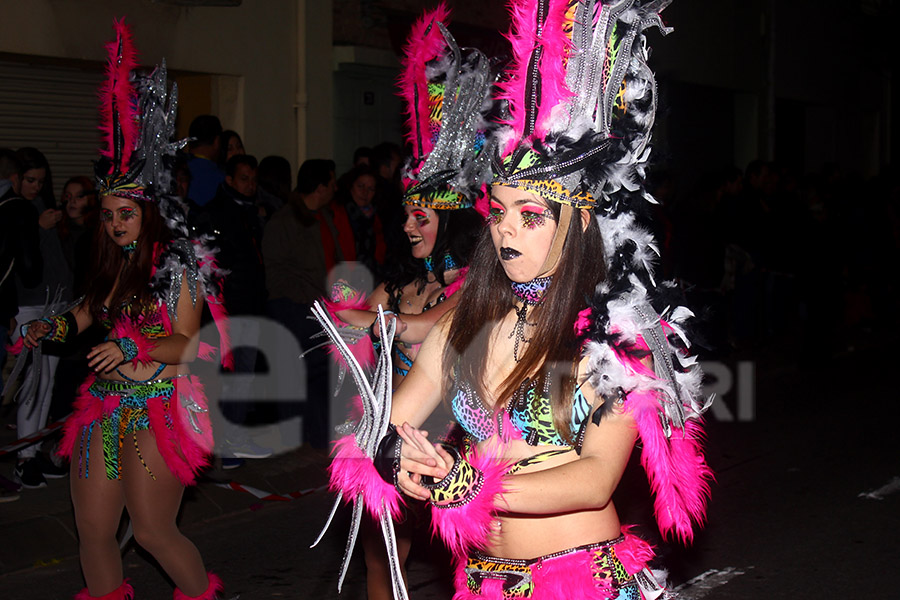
(134, 275)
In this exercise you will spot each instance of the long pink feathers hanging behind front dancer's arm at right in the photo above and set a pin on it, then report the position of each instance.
(678, 473)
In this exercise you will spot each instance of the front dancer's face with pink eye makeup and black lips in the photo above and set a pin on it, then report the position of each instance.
(522, 228)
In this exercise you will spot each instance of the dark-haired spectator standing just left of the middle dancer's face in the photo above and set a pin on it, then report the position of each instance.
(357, 195)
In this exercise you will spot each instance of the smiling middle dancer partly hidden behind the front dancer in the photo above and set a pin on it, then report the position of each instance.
(446, 93)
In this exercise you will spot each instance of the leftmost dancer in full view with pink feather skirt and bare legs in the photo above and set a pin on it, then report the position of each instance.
(140, 431)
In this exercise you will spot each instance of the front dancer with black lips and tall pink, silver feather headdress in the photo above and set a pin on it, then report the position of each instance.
(556, 362)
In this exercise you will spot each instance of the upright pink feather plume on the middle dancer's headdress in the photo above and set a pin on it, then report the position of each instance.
(425, 42)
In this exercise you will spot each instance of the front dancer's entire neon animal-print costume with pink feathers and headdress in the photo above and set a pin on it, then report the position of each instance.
(580, 106)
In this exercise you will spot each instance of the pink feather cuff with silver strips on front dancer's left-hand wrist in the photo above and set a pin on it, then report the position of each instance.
(352, 472)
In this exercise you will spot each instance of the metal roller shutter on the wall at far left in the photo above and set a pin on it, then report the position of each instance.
(54, 109)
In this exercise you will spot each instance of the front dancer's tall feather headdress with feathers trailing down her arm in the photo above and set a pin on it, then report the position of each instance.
(581, 102)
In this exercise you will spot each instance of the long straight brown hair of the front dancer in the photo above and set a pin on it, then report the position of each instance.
(553, 351)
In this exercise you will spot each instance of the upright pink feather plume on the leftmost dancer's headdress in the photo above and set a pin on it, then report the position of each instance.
(118, 97)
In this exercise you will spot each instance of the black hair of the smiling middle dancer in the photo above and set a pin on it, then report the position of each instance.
(458, 233)
